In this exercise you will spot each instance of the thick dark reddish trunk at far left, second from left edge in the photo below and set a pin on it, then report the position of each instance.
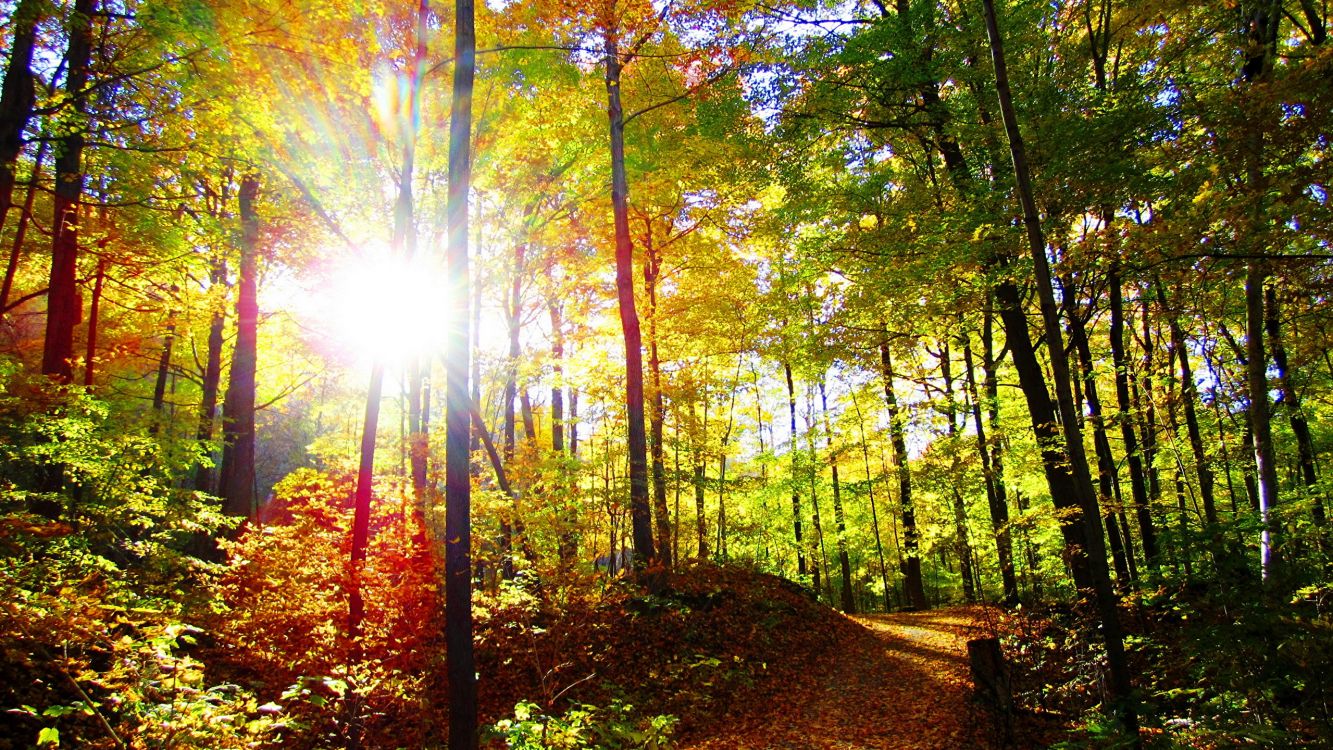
(63, 291)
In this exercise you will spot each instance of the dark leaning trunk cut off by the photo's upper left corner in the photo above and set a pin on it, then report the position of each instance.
(17, 101)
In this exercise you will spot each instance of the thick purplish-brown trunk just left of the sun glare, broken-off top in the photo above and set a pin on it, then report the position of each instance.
(237, 483)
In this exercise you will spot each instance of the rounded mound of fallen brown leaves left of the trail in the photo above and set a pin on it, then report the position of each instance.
(708, 645)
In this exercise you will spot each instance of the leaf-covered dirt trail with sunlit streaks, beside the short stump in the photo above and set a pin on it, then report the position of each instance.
(902, 681)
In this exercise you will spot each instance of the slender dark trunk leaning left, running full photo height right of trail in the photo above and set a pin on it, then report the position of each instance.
(1120, 684)
